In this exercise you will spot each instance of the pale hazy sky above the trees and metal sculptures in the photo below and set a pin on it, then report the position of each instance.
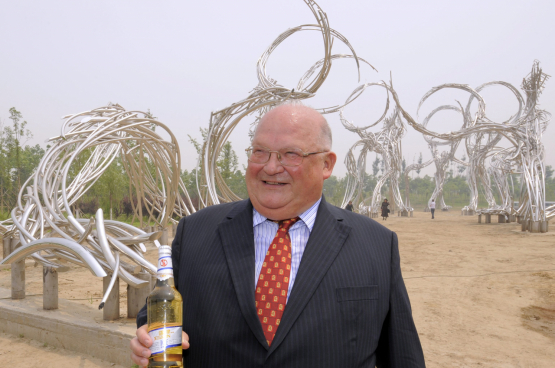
(183, 60)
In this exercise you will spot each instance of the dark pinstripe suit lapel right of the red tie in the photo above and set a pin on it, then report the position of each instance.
(326, 239)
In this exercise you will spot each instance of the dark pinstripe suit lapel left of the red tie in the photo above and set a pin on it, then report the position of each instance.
(237, 237)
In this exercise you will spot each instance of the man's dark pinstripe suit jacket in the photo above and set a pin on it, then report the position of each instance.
(348, 306)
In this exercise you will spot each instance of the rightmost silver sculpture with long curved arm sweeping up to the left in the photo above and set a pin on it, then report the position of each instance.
(482, 135)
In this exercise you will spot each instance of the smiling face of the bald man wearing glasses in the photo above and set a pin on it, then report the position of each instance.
(280, 192)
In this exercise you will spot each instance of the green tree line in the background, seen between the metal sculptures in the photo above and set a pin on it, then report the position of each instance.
(111, 191)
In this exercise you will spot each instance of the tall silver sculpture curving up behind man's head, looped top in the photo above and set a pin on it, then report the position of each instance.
(268, 93)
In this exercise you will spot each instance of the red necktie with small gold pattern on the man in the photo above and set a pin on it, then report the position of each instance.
(273, 282)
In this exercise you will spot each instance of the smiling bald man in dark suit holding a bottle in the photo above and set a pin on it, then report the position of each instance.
(284, 279)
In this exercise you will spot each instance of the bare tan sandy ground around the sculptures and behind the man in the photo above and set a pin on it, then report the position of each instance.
(482, 295)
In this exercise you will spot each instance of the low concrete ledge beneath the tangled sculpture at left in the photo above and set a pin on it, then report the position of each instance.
(73, 327)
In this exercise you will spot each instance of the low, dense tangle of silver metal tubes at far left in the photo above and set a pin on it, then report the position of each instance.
(45, 219)
